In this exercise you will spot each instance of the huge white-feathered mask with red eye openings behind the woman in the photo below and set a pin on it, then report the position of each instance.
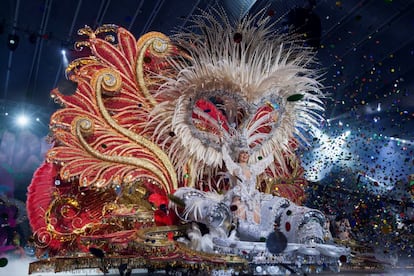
(240, 82)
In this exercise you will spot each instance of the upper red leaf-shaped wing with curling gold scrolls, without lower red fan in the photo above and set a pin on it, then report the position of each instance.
(97, 133)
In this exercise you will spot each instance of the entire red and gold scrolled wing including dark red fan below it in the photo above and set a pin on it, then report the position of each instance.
(103, 157)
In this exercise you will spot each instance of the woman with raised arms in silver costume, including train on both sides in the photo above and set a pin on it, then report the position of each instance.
(255, 214)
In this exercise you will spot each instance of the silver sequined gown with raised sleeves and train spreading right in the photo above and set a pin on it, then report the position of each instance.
(299, 224)
